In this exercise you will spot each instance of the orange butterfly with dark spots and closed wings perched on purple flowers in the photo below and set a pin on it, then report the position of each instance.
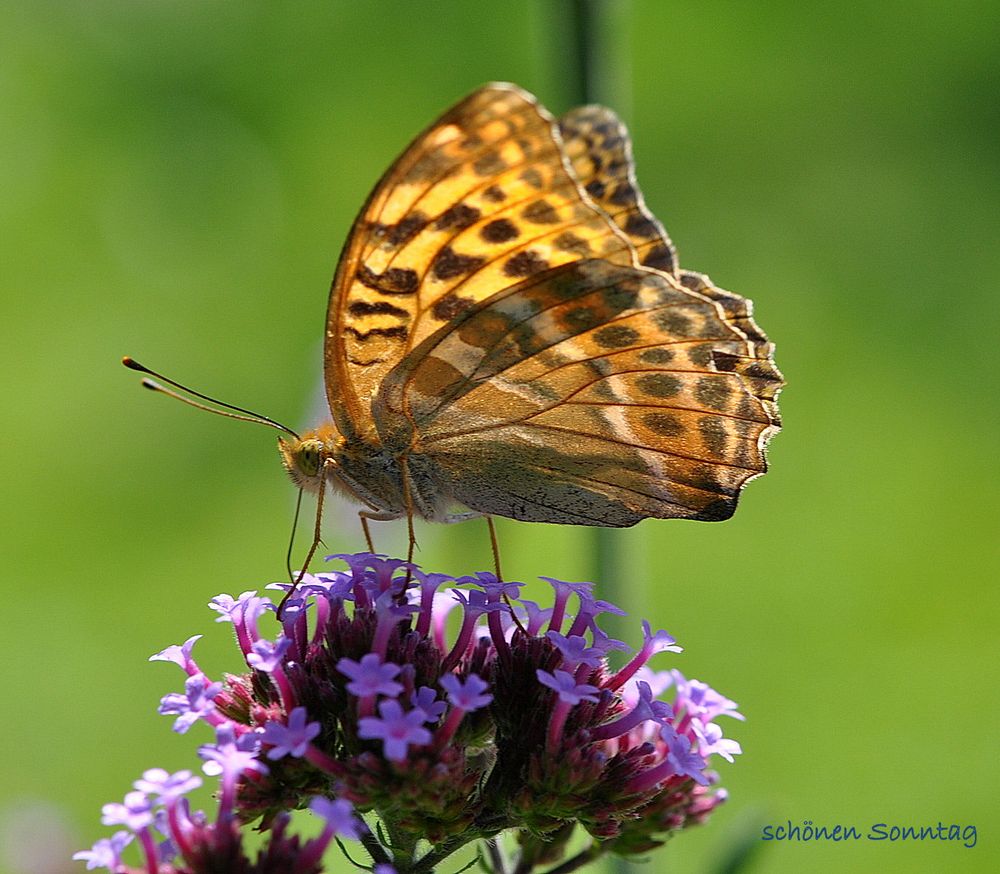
(509, 333)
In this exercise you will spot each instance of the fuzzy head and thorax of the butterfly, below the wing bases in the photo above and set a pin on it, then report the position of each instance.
(361, 469)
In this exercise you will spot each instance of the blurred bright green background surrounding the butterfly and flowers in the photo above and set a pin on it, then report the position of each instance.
(177, 180)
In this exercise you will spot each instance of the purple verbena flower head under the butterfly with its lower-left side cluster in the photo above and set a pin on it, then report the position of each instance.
(450, 708)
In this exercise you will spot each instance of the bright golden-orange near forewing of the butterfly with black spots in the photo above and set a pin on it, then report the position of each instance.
(481, 200)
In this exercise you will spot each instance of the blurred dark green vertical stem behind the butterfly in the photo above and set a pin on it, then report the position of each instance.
(590, 67)
